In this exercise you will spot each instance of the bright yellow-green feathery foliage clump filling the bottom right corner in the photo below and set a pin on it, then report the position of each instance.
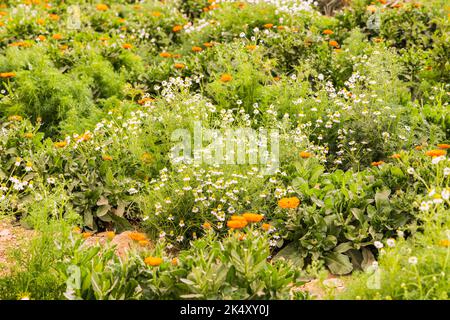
(412, 269)
